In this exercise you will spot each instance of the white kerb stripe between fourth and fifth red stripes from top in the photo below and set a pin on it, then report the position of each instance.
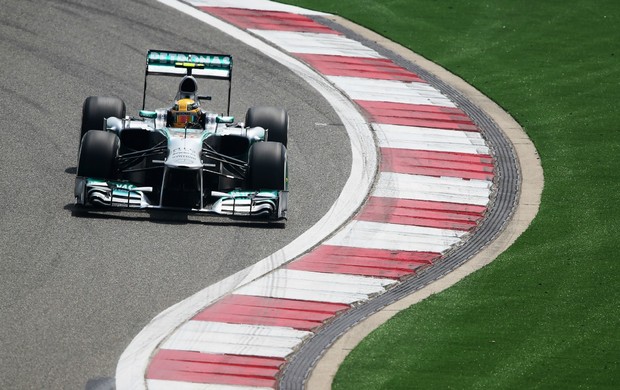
(438, 189)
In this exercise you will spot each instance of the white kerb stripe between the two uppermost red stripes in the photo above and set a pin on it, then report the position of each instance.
(316, 43)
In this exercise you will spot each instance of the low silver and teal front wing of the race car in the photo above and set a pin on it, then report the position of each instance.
(251, 204)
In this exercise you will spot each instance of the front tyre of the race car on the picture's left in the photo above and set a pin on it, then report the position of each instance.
(98, 152)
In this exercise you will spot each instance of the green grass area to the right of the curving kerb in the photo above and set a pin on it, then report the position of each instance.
(546, 313)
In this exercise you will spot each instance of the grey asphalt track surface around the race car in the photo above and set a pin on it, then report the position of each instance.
(76, 289)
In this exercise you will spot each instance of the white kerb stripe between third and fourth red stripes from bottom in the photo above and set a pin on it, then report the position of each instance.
(376, 235)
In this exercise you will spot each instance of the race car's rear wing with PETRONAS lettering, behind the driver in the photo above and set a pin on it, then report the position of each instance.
(198, 65)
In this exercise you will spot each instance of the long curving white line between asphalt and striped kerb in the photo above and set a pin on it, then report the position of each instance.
(135, 359)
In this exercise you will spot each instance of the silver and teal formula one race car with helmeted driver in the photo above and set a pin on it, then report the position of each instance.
(183, 157)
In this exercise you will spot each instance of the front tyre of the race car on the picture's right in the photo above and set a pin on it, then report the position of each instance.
(268, 167)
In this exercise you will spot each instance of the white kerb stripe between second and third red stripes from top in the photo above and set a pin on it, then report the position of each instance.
(390, 91)
